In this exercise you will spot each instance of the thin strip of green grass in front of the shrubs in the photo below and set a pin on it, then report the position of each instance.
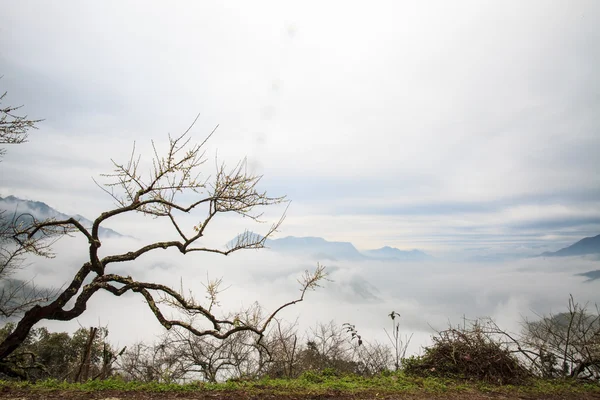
(315, 383)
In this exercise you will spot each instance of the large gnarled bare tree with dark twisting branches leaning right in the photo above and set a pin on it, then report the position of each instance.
(173, 177)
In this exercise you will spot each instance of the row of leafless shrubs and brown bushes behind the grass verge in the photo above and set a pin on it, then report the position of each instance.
(563, 347)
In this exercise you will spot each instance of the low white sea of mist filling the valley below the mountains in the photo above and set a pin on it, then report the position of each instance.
(363, 293)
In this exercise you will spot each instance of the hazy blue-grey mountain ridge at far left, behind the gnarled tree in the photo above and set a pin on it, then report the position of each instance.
(41, 211)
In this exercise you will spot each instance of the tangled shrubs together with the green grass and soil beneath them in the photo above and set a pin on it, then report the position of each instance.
(464, 362)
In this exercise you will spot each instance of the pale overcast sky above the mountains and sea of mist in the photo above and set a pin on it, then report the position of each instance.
(432, 125)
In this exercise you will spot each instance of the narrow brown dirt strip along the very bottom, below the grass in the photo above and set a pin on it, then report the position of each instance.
(13, 394)
